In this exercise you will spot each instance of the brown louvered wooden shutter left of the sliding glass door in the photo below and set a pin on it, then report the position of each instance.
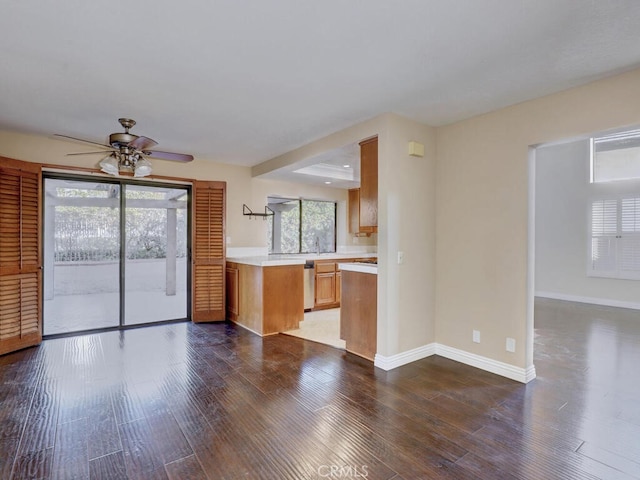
(20, 255)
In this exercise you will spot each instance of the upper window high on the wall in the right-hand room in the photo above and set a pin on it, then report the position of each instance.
(615, 157)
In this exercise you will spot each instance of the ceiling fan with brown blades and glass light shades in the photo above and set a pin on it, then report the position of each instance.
(128, 151)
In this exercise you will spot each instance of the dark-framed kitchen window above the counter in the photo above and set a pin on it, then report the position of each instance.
(301, 226)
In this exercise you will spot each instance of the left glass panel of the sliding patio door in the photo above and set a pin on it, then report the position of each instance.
(81, 255)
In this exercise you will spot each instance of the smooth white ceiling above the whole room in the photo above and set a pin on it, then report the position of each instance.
(242, 81)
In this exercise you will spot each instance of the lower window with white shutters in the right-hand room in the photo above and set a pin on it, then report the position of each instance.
(615, 238)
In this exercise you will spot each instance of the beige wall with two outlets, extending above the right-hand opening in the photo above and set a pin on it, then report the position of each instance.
(482, 233)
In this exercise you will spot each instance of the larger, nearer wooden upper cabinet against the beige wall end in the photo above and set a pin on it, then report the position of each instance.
(369, 185)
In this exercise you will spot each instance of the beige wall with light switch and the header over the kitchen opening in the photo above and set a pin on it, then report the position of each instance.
(406, 222)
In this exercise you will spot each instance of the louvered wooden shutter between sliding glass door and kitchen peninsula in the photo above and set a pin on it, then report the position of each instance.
(208, 252)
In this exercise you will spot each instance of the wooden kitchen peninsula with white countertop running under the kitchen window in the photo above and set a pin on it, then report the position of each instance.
(265, 294)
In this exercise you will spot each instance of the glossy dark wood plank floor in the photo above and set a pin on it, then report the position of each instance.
(213, 401)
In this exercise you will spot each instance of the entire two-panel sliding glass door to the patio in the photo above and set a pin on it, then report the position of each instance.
(115, 254)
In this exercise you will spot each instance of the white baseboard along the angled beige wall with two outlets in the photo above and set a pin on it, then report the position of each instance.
(483, 363)
